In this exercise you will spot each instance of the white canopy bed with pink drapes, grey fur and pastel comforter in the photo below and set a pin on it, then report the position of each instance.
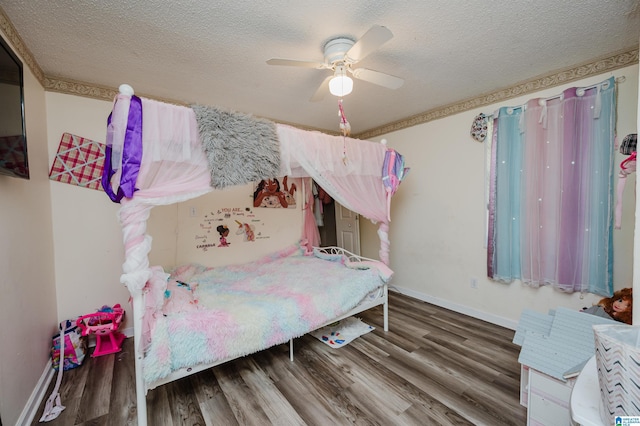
(177, 153)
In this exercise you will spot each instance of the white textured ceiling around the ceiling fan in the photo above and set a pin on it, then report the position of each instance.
(214, 52)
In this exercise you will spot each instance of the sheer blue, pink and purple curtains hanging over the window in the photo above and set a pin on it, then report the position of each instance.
(551, 191)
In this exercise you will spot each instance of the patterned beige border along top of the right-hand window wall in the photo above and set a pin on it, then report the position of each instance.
(599, 66)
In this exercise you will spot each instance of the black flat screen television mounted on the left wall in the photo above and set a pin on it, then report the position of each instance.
(13, 138)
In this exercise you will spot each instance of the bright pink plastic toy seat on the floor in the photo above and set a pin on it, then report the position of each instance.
(104, 324)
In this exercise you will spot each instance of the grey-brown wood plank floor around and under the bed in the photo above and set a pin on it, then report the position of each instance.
(434, 367)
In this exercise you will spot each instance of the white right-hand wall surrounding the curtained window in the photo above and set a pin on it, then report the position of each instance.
(438, 217)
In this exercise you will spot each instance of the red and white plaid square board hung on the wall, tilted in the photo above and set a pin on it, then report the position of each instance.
(79, 161)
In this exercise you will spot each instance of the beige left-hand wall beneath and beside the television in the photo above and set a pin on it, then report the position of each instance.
(27, 282)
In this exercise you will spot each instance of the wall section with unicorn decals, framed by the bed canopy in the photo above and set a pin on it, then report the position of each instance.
(187, 233)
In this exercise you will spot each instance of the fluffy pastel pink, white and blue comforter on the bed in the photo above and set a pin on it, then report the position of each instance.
(232, 311)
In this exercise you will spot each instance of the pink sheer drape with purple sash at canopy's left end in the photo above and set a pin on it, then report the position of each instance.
(171, 168)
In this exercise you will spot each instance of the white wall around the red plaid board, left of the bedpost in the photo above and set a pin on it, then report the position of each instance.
(87, 237)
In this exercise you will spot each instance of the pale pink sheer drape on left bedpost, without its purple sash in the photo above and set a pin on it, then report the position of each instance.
(173, 169)
